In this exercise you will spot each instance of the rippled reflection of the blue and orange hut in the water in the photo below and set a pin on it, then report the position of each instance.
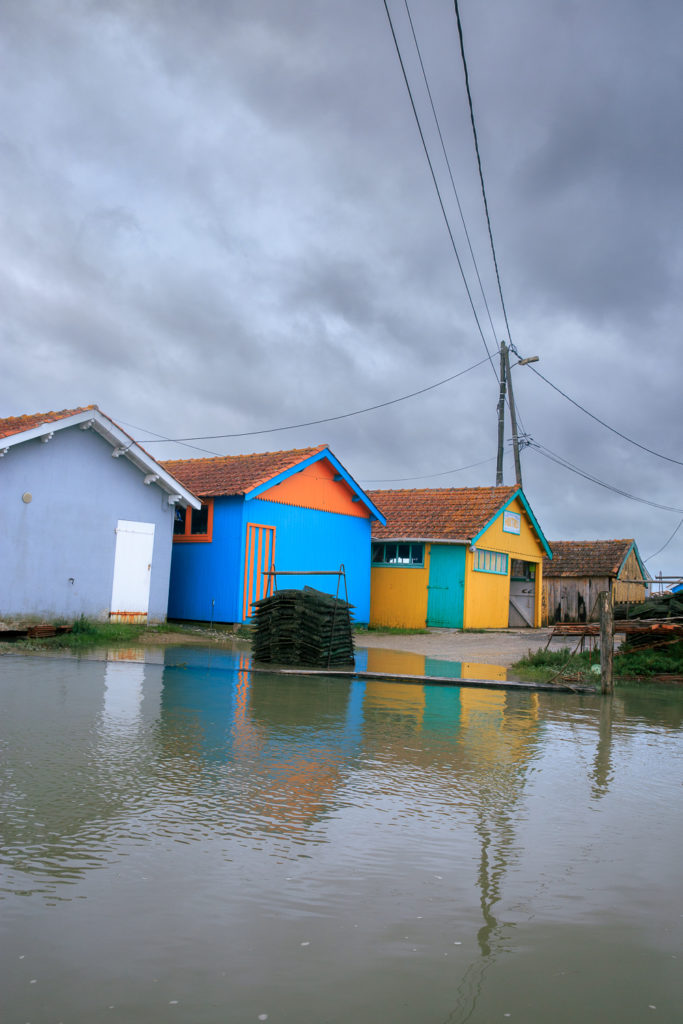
(289, 740)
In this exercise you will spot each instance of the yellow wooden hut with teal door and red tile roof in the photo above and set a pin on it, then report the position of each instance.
(461, 558)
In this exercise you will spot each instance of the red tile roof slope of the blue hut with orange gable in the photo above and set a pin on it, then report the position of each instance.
(235, 475)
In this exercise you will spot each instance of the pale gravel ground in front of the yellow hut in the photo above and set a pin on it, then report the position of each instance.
(491, 647)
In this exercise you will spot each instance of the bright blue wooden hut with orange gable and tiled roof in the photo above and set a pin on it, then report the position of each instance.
(297, 513)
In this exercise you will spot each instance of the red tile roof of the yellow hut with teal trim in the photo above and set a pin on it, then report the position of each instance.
(444, 515)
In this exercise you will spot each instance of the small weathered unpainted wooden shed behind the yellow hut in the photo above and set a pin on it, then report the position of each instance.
(582, 570)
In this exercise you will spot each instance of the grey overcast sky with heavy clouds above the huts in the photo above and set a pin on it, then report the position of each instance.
(218, 218)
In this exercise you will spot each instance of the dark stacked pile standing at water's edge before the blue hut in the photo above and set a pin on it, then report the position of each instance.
(304, 628)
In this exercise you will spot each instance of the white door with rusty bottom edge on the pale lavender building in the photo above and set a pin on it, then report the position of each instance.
(133, 572)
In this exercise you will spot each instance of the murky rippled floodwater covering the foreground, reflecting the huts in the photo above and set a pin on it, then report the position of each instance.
(190, 842)
